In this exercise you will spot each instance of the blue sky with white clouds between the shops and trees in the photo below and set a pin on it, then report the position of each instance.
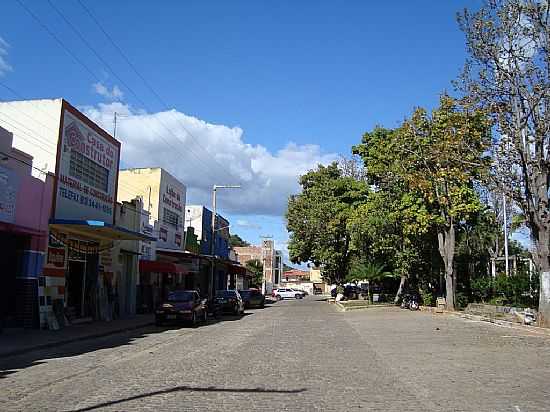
(268, 89)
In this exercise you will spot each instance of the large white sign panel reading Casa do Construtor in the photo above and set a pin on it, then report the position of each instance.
(87, 170)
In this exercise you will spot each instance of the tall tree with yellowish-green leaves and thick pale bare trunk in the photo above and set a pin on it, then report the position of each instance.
(436, 158)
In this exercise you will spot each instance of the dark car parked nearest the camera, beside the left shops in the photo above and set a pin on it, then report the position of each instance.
(183, 306)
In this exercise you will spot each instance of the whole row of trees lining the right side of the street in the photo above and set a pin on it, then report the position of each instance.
(425, 201)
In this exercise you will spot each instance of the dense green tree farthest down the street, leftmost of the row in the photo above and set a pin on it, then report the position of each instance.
(317, 220)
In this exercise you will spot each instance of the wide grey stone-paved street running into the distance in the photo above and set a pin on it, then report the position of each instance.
(293, 355)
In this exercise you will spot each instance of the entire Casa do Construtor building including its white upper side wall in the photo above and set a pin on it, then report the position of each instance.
(84, 159)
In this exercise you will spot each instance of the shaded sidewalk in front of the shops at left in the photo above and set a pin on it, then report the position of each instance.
(17, 341)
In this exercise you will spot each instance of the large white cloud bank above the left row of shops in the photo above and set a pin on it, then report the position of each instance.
(162, 139)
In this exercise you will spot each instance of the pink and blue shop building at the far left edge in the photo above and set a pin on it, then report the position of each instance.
(25, 204)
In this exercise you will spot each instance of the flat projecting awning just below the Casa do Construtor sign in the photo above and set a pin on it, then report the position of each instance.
(97, 229)
